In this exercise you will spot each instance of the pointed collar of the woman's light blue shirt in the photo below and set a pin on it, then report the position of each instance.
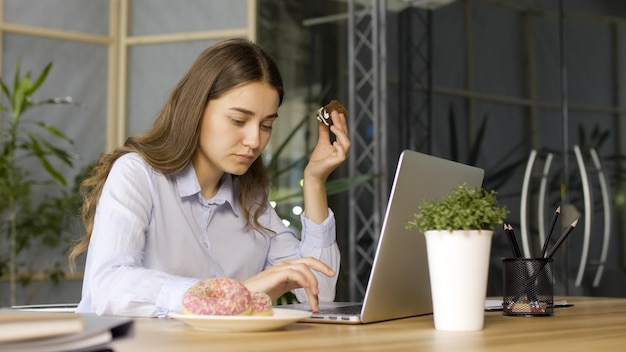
(188, 185)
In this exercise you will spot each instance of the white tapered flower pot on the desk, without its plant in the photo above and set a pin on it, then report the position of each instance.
(458, 264)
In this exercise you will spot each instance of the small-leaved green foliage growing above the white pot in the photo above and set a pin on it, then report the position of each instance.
(465, 208)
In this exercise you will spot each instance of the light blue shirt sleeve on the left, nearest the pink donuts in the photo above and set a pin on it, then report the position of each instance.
(116, 281)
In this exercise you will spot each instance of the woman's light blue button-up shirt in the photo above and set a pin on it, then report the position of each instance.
(155, 236)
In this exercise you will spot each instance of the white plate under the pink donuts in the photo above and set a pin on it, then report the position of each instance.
(243, 323)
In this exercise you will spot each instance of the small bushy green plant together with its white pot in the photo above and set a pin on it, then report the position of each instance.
(458, 230)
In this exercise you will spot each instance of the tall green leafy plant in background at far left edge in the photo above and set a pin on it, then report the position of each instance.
(23, 218)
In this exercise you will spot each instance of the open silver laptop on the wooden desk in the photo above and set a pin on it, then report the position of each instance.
(399, 284)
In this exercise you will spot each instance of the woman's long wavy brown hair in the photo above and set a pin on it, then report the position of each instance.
(170, 143)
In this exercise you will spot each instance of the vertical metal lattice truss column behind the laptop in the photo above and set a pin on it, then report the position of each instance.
(366, 100)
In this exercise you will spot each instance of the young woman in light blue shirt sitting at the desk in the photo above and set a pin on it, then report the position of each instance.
(188, 200)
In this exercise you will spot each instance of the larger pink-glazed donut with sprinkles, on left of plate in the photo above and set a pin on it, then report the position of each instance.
(217, 296)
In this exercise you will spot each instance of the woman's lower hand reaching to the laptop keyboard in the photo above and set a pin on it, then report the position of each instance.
(289, 275)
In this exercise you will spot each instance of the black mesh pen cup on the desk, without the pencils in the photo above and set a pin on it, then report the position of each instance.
(528, 287)
